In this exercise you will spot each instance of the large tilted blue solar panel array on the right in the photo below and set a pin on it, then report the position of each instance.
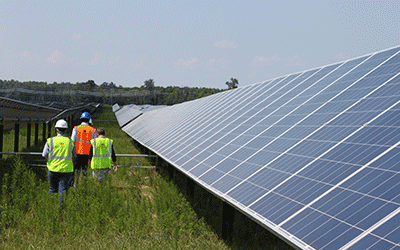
(313, 156)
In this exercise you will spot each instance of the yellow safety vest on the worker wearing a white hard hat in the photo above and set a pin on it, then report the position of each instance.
(59, 158)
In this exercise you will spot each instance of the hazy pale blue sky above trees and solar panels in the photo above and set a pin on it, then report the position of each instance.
(190, 43)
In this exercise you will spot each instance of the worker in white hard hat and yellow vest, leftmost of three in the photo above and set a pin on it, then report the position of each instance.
(58, 152)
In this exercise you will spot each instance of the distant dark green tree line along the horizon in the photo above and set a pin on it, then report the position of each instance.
(106, 93)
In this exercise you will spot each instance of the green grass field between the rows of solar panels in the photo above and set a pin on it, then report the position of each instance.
(134, 209)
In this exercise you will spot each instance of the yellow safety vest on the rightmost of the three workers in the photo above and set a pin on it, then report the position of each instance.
(102, 149)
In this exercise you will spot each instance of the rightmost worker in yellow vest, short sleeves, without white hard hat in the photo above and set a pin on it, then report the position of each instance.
(102, 155)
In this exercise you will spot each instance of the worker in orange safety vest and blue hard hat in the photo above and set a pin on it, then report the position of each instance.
(82, 135)
